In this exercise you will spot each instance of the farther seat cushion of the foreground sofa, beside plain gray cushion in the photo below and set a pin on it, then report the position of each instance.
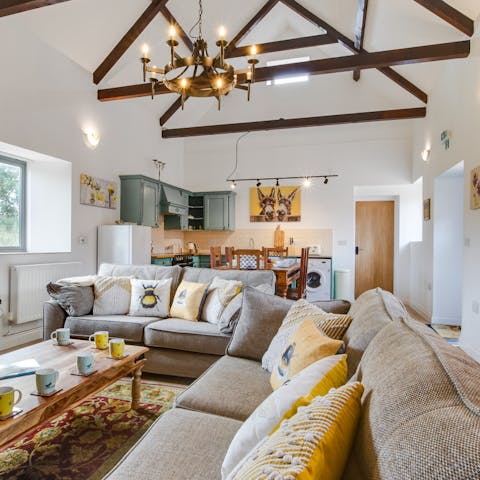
(232, 387)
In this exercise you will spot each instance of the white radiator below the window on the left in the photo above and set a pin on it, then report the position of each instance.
(28, 287)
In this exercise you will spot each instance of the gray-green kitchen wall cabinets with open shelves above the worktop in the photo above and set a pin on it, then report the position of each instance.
(144, 198)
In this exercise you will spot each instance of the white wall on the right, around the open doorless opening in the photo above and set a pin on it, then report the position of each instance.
(454, 105)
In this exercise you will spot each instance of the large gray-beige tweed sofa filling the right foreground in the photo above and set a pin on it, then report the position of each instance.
(420, 408)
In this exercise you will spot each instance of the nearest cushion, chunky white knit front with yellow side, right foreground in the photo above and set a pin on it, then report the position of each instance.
(313, 444)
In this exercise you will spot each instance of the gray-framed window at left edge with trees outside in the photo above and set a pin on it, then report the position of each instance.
(12, 204)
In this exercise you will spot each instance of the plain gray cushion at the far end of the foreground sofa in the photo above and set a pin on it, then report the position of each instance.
(259, 321)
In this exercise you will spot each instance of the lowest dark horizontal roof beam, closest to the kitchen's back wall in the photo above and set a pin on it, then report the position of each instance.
(382, 115)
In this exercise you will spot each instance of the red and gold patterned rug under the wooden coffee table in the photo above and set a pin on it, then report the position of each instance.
(86, 442)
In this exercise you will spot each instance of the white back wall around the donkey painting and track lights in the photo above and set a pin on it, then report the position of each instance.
(377, 154)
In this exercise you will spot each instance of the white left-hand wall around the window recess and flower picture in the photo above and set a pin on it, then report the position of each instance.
(45, 101)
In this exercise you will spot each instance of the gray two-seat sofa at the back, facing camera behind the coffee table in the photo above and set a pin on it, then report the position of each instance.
(177, 347)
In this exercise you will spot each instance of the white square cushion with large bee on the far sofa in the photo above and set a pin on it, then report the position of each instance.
(150, 298)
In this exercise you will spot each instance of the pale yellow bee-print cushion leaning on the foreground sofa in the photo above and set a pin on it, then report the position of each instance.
(307, 345)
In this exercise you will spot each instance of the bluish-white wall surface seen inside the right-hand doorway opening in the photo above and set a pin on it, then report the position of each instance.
(447, 250)
